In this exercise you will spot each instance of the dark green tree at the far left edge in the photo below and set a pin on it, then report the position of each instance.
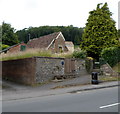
(9, 36)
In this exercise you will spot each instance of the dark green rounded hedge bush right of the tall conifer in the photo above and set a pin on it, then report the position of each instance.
(111, 55)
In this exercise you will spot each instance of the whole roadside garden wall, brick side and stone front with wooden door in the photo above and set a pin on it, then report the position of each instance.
(41, 69)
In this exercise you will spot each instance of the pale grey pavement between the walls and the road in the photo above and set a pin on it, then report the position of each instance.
(14, 91)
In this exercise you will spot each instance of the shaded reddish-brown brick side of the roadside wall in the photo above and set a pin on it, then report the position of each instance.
(20, 71)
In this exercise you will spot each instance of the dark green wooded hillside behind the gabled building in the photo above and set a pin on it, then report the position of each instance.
(70, 33)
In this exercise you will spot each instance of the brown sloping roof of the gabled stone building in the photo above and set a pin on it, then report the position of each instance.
(43, 41)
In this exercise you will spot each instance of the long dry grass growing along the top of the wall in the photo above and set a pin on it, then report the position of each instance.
(32, 53)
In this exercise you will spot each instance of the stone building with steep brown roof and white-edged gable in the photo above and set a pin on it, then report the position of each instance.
(54, 42)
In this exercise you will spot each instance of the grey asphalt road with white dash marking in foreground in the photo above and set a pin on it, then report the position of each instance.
(100, 100)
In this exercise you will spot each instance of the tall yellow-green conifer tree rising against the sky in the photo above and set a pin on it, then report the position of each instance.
(100, 31)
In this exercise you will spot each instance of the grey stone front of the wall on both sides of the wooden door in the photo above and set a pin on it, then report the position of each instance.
(48, 68)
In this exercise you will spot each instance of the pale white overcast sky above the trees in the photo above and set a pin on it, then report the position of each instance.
(26, 13)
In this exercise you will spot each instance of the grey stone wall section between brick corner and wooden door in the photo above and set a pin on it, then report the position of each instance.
(48, 68)
